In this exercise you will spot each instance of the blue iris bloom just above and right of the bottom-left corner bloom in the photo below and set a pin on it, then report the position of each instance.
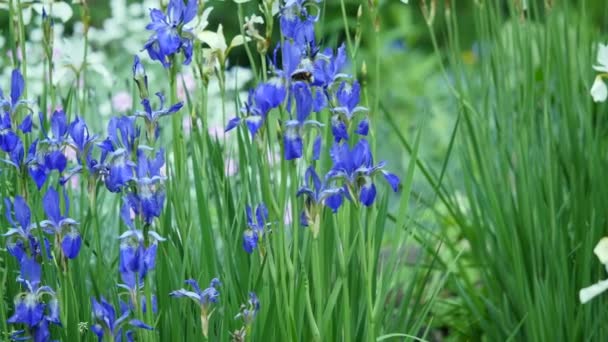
(64, 228)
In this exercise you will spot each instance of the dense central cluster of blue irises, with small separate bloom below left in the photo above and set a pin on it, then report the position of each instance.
(309, 81)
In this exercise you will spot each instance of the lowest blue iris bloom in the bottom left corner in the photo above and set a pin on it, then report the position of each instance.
(30, 307)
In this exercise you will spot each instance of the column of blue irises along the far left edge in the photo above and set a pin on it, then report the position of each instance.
(37, 306)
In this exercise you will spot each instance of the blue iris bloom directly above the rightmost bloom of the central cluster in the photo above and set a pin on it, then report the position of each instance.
(347, 97)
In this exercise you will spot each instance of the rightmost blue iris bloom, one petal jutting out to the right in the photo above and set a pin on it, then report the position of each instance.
(356, 168)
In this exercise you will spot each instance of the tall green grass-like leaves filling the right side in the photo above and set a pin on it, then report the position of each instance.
(530, 156)
